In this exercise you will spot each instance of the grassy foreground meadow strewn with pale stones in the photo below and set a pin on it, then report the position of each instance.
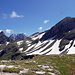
(40, 65)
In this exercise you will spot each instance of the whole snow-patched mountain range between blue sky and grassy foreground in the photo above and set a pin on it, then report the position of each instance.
(60, 39)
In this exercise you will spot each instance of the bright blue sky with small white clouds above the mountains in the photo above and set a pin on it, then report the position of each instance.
(30, 16)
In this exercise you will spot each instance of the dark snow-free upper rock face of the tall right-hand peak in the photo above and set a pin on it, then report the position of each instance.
(60, 28)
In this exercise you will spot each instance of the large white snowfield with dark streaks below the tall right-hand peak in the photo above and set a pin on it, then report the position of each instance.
(49, 47)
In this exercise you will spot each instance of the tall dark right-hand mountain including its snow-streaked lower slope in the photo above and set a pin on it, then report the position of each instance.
(60, 39)
